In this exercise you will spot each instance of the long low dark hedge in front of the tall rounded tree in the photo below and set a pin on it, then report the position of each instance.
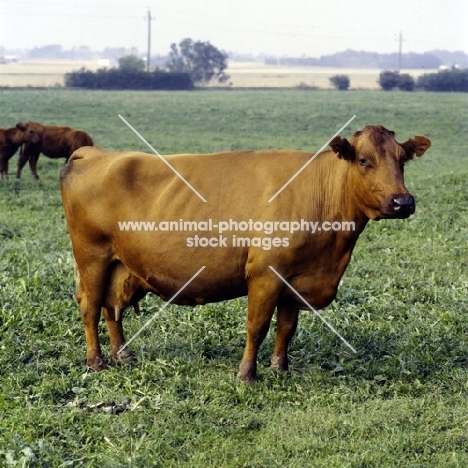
(121, 79)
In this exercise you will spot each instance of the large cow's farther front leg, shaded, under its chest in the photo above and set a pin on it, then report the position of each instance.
(286, 324)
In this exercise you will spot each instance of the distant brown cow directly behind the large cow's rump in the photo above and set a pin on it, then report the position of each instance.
(54, 142)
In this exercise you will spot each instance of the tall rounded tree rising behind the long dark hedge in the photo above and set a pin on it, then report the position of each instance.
(202, 60)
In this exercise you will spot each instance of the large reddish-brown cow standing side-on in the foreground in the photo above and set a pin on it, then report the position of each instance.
(357, 180)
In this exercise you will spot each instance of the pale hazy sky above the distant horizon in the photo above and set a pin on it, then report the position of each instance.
(292, 28)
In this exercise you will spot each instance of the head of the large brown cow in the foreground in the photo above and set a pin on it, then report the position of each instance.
(376, 170)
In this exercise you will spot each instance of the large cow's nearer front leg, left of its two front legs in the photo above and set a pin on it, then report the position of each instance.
(262, 298)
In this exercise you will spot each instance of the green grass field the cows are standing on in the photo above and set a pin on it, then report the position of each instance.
(401, 401)
